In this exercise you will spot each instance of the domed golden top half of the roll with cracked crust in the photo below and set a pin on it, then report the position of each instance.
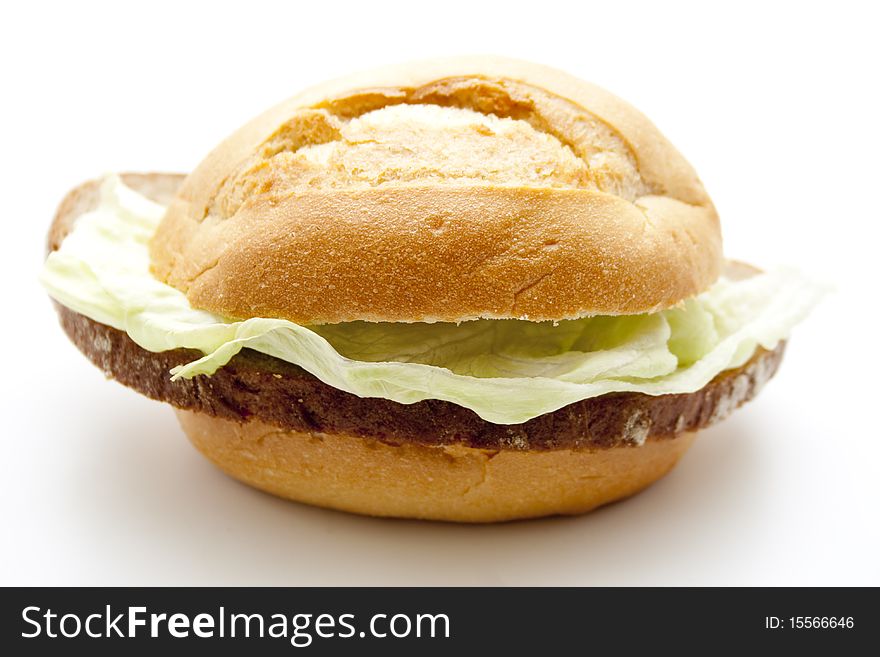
(445, 190)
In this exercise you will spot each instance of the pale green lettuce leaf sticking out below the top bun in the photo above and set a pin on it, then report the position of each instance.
(507, 371)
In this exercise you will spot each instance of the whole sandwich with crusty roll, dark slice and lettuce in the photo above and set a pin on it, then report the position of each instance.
(469, 290)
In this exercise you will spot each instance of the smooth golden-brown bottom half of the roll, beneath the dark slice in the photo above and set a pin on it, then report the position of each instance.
(451, 482)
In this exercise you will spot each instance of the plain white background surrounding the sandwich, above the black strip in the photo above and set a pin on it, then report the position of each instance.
(774, 103)
